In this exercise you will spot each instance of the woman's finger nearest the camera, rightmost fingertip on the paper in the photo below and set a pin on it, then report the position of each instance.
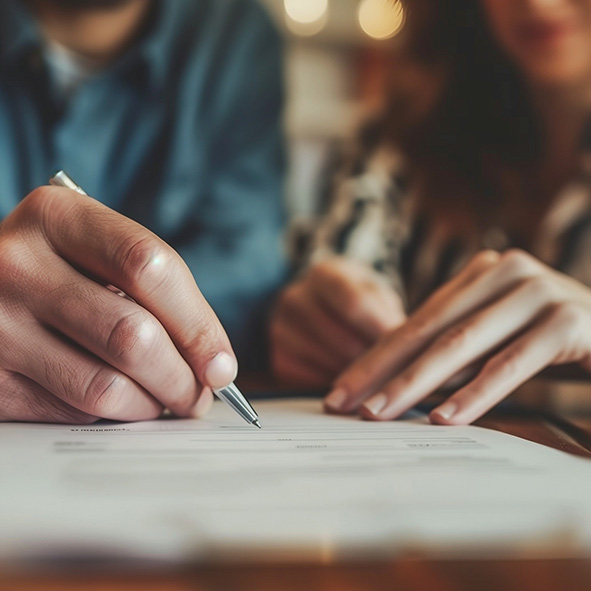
(539, 347)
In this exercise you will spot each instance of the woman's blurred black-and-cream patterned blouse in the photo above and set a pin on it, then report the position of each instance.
(373, 217)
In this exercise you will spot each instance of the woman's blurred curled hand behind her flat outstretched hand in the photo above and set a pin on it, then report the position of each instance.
(328, 318)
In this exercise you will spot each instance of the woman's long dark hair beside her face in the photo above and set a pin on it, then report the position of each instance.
(480, 111)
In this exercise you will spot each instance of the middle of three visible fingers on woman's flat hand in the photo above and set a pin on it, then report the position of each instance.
(458, 347)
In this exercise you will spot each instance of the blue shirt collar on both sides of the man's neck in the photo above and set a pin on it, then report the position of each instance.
(20, 35)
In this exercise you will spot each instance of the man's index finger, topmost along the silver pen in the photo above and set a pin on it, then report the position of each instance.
(121, 252)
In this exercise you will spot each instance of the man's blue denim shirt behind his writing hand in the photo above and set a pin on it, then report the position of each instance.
(182, 133)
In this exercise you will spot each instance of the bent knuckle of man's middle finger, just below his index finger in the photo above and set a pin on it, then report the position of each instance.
(132, 338)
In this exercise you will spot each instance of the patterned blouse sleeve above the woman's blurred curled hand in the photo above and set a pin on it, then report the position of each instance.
(367, 216)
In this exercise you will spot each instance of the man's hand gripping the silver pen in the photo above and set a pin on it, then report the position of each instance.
(72, 350)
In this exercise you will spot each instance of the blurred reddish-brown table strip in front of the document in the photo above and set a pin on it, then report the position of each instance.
(403, 574)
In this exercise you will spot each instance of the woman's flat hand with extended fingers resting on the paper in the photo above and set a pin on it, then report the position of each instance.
(508, 312)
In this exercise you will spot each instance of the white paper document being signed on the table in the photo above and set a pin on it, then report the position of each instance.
(307, 485)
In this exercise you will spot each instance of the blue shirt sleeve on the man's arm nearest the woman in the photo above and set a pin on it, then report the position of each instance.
(238, 260)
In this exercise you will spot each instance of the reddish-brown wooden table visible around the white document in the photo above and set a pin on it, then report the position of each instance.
(570, 433)
